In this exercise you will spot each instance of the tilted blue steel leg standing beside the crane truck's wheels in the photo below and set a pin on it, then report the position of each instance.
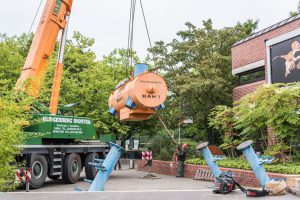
(106, 168)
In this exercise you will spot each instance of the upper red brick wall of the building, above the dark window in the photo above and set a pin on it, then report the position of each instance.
(255, 50)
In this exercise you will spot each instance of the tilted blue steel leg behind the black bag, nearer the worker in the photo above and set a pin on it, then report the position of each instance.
(211, 162)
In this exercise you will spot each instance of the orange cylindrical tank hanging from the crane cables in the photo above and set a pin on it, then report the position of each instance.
(139, 97)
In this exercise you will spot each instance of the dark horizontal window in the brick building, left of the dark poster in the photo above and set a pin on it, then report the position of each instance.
(252, 76)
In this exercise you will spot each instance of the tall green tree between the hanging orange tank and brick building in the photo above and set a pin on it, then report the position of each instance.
(197, 67)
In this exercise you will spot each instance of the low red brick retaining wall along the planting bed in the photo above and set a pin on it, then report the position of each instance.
(245, 177)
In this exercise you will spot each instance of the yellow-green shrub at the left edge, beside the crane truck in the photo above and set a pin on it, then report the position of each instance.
(12, 115)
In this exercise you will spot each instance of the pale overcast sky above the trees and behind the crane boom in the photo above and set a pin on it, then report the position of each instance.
(107, 21)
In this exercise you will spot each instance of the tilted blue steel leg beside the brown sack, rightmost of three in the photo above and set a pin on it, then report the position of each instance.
(254, 162)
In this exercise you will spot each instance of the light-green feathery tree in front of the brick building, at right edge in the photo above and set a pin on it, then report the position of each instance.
(276, 106)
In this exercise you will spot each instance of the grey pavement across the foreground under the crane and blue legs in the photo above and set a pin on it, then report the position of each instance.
(129, 185)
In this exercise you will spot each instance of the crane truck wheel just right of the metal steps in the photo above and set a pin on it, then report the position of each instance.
(71, 168)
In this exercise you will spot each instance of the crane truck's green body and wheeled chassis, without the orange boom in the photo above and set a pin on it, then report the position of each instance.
(60, 146)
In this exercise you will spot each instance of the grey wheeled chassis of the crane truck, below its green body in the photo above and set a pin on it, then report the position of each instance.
(64, 161)
